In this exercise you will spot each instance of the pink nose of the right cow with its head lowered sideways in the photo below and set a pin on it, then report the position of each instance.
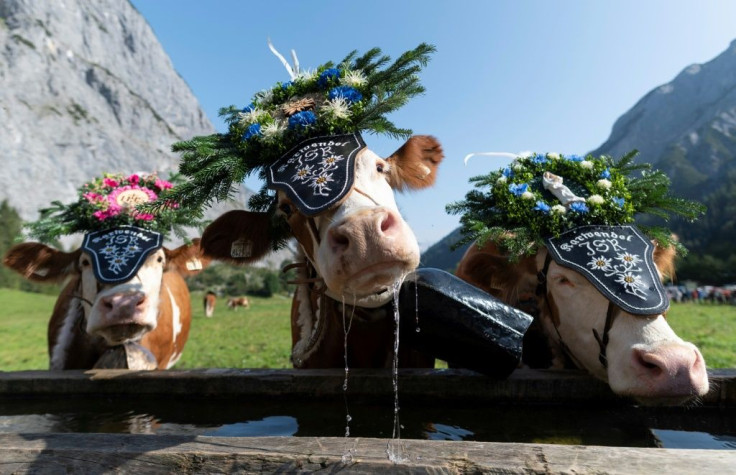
(671, 370)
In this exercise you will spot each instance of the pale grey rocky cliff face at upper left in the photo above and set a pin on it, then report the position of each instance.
(85, 88)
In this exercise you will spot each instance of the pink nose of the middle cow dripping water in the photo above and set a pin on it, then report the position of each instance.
(357, 232)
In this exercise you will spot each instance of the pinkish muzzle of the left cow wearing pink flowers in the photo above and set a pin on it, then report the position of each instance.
(121, 317)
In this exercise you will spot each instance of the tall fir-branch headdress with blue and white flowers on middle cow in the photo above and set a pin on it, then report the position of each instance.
(348, 97)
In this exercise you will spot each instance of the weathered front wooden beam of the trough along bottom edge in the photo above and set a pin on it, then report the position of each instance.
(97, 453)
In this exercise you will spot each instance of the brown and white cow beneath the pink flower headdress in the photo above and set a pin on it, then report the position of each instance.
(151, 310)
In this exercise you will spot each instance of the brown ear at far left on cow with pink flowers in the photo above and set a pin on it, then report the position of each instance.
(40, 263)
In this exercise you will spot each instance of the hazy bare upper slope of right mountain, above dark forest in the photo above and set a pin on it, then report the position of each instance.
(686, 127)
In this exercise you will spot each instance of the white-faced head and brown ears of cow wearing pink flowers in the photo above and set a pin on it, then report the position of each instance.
(118, 312)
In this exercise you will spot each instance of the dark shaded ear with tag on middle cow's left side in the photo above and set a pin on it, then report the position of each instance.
(237, 237)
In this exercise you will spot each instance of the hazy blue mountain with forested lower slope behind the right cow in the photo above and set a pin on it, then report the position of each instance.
(686, 128)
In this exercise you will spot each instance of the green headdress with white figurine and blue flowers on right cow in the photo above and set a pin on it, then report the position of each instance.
(540, 196)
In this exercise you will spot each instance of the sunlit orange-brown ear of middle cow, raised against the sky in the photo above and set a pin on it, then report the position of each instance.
(414, 165)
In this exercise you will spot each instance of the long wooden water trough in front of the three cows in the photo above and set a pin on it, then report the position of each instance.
(451, 420)
